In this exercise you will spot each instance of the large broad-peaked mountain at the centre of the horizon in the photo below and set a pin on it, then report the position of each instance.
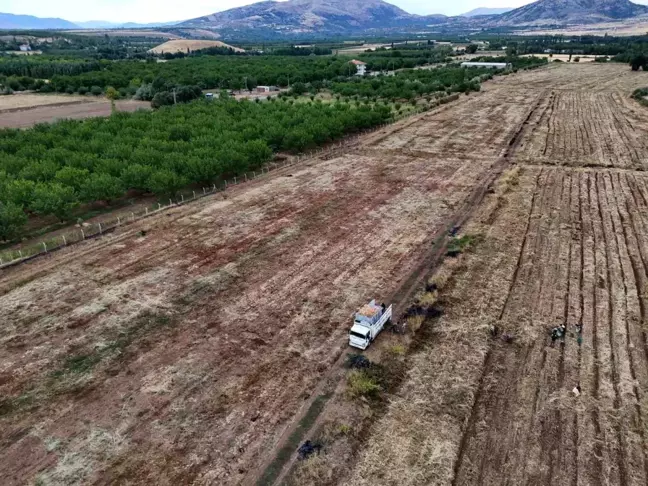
(320, 16)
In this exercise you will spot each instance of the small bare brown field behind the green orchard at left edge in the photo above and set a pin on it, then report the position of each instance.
(28, 117)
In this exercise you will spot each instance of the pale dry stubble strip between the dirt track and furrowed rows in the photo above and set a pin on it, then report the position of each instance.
(417, 440)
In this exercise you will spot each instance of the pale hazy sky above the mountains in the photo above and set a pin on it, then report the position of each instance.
(170, 10)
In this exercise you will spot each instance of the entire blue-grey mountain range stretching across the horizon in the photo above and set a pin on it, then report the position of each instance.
(338, 17)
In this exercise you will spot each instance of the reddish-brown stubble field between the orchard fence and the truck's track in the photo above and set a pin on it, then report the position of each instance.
(179, 350)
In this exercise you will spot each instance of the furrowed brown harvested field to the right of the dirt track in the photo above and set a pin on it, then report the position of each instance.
(489, 398)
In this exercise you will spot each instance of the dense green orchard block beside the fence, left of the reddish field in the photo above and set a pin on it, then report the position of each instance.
(52, 169)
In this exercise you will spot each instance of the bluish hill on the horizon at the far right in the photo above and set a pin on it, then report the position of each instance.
(571, 11)
